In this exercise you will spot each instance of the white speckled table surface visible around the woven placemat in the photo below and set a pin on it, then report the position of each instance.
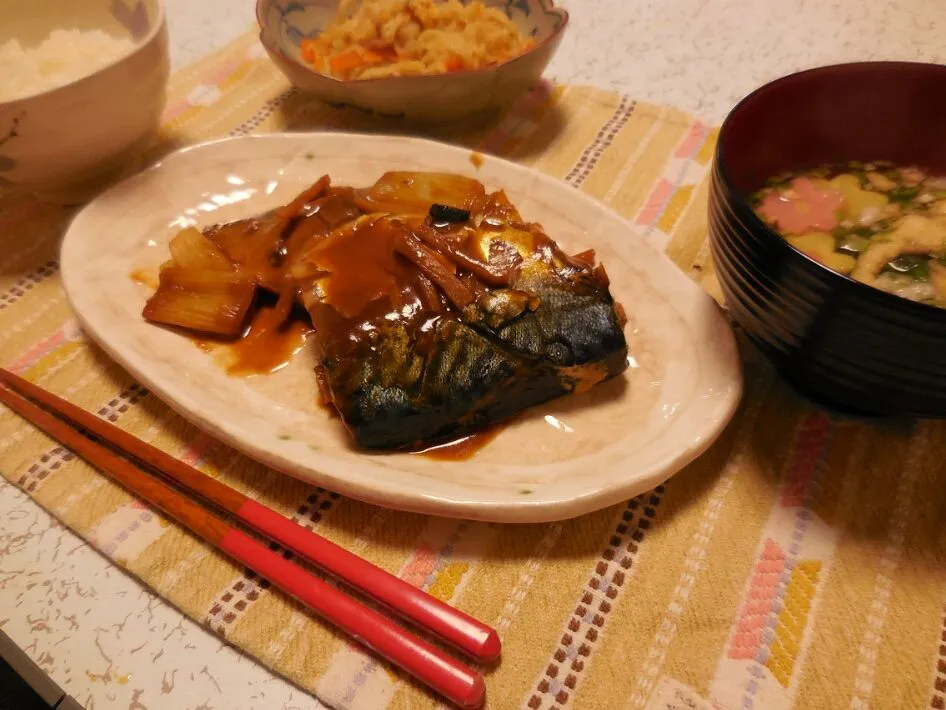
(111, 643)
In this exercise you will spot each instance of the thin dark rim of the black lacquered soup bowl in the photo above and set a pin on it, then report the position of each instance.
(755, 225)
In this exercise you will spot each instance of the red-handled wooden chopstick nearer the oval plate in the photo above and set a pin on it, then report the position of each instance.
(453, 626)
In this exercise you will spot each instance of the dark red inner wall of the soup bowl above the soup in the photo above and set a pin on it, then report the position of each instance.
(864, 111)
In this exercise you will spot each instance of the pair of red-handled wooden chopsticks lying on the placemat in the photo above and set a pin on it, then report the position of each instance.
(118, 454)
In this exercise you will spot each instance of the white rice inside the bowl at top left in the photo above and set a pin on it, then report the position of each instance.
(63, 57)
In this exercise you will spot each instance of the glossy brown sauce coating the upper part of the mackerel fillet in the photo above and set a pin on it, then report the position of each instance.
(381, 269)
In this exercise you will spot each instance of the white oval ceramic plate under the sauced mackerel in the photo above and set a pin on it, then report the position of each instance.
(568, 457)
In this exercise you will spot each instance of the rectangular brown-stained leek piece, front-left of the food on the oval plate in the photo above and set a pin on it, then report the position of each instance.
(213, 302)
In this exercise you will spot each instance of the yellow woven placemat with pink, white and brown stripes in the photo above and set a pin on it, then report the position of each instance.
(798, 564)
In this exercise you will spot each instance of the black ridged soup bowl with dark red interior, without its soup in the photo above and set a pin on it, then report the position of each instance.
(841, 342)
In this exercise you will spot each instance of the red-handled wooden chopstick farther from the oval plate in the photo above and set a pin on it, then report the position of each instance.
(425, 662)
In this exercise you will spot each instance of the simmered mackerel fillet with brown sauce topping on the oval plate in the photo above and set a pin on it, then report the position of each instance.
(437, 310)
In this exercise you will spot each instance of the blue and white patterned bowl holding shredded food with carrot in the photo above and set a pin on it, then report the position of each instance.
(431, 98)
